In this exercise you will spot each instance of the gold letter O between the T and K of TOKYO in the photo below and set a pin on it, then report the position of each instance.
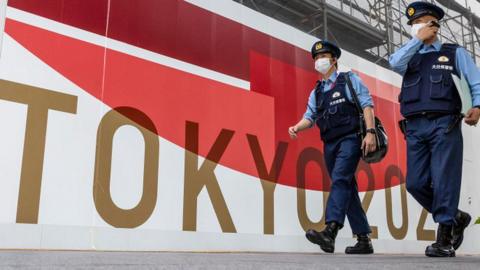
(111, 213)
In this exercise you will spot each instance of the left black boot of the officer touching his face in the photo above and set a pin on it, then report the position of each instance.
(443, 247)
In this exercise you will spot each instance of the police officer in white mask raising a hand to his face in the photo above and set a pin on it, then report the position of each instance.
(431, 105)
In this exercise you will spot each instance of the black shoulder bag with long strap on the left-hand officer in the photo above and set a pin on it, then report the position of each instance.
(381, 134)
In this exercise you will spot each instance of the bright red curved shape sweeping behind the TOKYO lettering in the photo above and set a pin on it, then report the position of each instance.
(130, 81)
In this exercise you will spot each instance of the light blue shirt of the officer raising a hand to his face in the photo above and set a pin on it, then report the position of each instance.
(464, 63)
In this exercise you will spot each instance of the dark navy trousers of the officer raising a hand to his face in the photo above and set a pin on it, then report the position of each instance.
(434, 166)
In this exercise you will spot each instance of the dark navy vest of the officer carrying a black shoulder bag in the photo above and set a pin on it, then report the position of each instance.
(337, 116)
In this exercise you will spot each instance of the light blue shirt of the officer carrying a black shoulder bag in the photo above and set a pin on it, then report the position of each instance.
(362, 92)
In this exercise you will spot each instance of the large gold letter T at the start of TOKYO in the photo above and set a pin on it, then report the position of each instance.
(39, 102)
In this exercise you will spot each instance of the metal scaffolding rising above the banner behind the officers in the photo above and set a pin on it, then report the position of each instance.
(372, 29)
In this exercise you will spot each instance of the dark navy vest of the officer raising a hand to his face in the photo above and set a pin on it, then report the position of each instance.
(428, 85)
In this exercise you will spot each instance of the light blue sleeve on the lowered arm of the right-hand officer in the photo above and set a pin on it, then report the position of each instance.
(468, 68)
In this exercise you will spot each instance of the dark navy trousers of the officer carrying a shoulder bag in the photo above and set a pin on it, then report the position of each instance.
(341, 157)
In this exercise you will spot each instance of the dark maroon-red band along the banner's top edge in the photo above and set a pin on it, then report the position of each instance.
(171, 27)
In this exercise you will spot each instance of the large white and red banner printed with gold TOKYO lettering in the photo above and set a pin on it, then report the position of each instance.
(162, 125)
